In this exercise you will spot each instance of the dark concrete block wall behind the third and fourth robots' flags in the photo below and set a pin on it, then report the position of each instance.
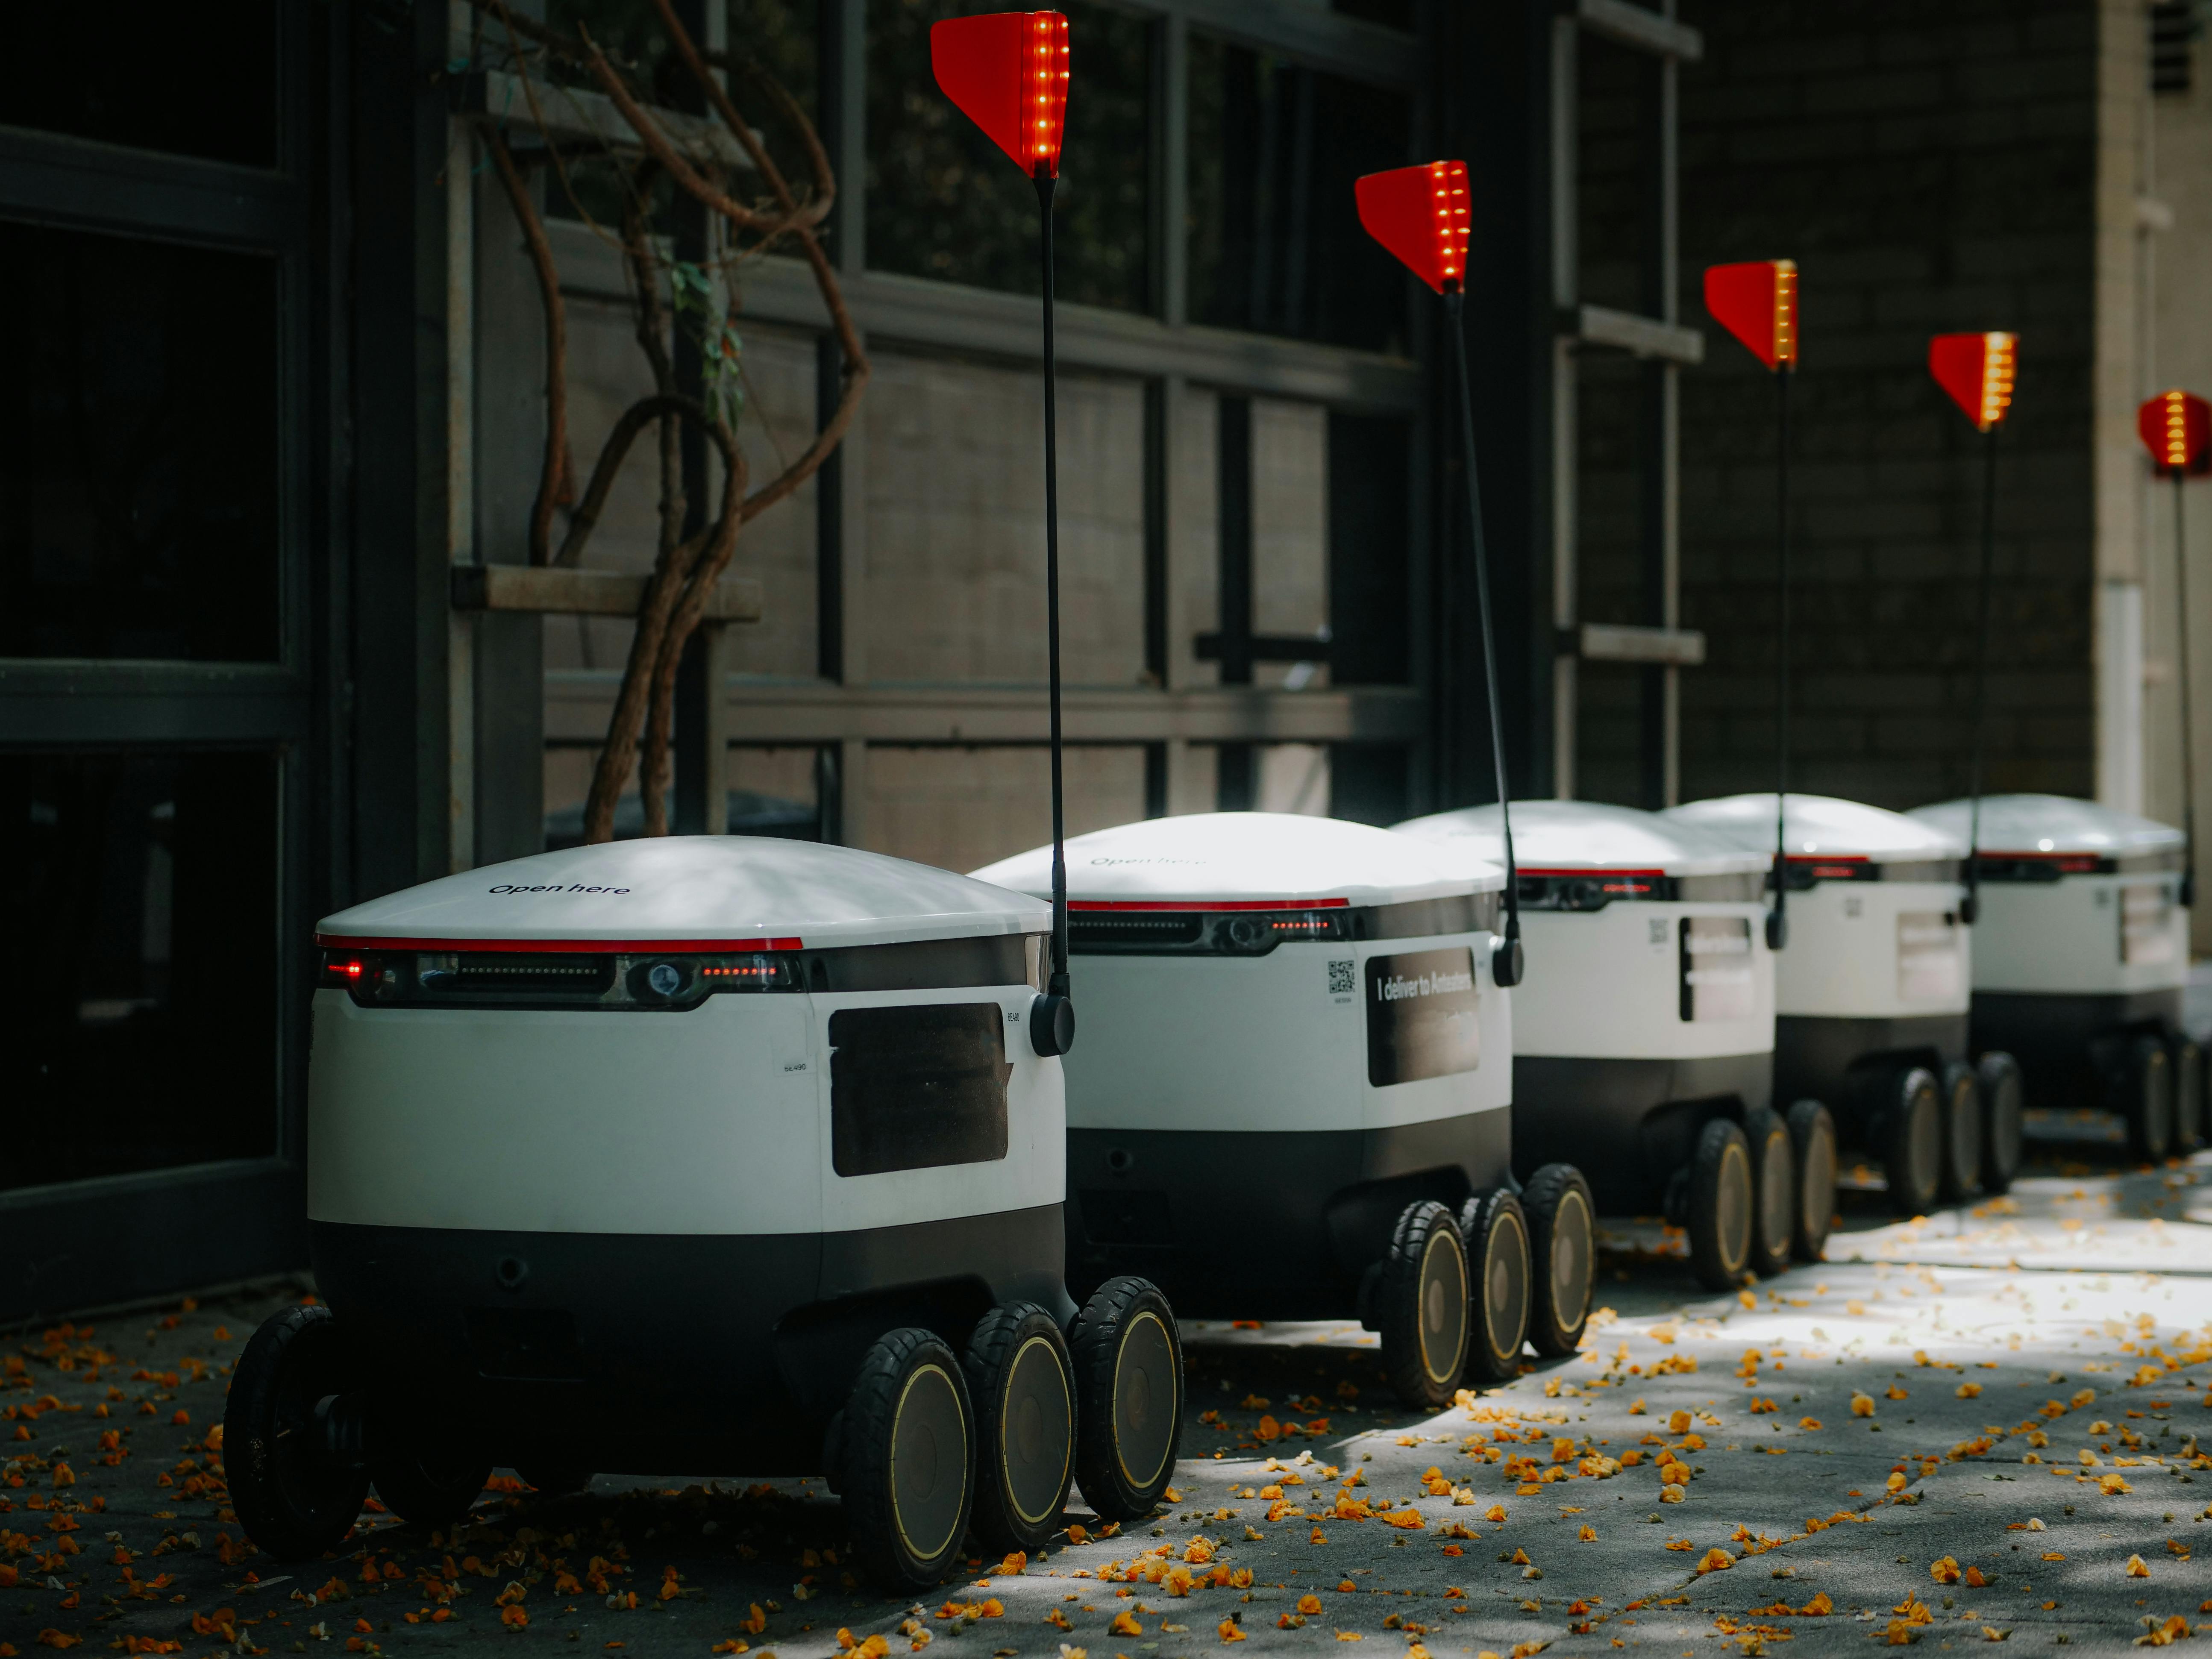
(1930, 169)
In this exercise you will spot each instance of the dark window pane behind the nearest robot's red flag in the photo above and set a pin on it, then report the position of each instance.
(946, 202)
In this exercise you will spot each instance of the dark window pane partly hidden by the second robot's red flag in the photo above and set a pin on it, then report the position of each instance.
(1275, 236)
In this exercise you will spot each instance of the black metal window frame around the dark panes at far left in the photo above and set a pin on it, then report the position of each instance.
(152, 1231)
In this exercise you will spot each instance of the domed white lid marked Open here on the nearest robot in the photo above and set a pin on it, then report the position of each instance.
(693, 893)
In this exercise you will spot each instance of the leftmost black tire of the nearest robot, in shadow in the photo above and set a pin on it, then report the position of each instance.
(293, 1499)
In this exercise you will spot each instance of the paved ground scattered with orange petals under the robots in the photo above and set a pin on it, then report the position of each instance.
(2030, 1377)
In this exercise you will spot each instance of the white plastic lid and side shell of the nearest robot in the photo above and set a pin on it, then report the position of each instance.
(713, 1120)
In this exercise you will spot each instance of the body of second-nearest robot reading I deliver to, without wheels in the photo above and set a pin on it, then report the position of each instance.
(1297, 1005)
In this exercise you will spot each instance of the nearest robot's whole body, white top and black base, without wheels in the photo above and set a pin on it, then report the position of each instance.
(596, 1125)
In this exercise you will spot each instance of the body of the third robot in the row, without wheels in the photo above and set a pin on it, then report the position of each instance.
(1649, 997)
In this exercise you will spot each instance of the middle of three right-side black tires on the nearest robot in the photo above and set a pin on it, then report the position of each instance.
(1023, 1386)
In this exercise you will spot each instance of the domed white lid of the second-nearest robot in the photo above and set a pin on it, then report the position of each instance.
(1246, 859)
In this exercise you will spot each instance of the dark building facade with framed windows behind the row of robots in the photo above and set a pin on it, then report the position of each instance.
(278, 406)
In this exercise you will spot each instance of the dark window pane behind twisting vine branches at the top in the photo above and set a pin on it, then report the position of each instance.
(775, 34)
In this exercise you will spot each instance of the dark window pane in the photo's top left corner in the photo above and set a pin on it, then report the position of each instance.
(152, 74)
